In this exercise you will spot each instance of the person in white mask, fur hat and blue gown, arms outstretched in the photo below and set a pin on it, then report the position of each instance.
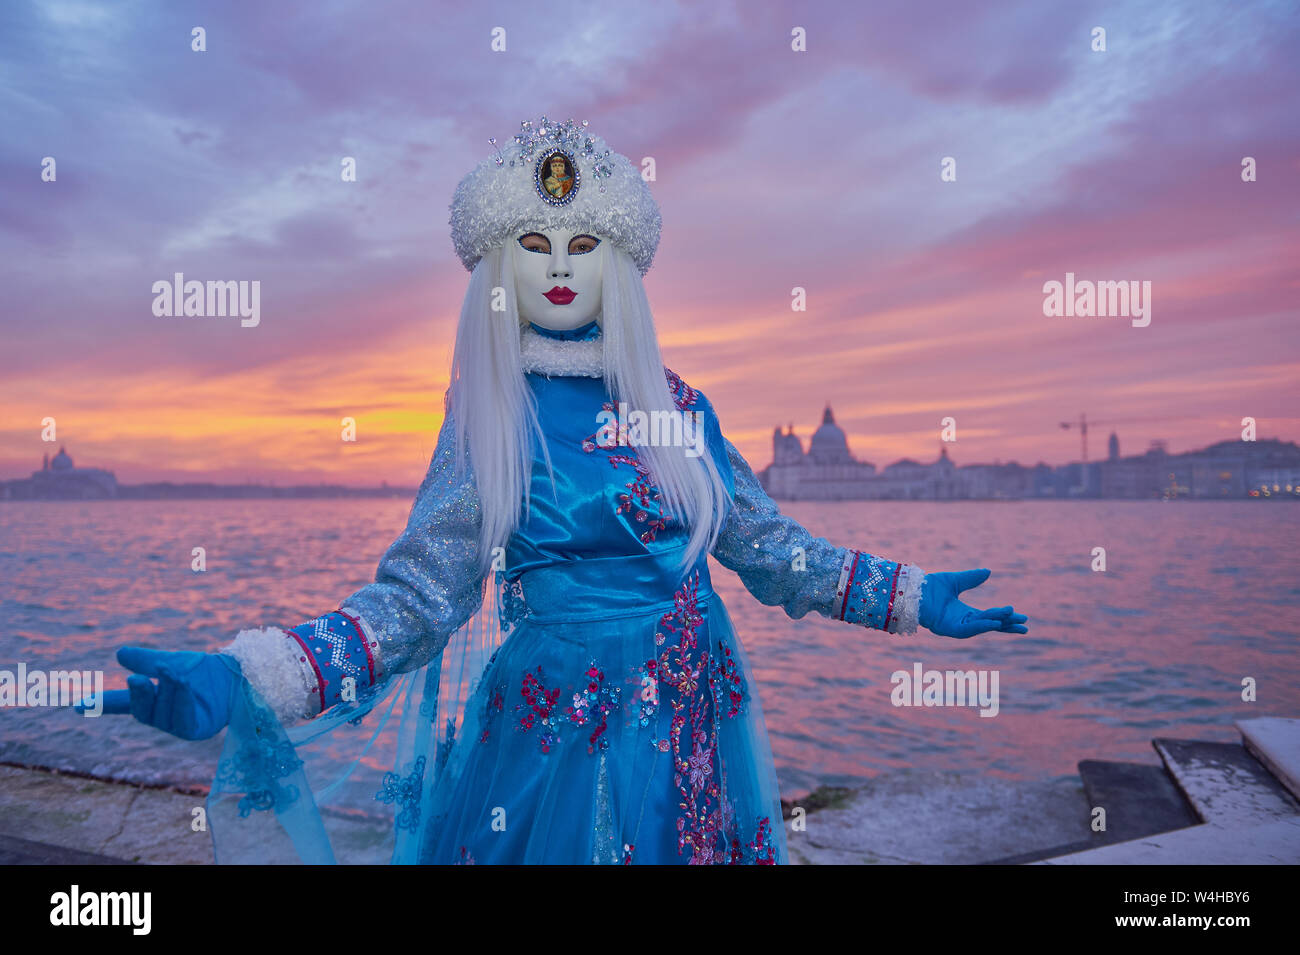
(541, 649)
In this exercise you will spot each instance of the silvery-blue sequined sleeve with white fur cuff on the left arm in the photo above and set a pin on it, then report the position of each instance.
(427, 585)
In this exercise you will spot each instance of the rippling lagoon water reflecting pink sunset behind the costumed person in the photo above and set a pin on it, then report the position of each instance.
(1197, 598)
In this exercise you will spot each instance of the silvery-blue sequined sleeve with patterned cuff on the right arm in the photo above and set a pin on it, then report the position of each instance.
(782, 565)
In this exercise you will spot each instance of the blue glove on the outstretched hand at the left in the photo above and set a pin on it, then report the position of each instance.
(193, 696)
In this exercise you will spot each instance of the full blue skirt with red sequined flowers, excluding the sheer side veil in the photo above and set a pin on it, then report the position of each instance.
(630, 740)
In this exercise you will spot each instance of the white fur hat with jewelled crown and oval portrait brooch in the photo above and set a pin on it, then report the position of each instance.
(554, 176)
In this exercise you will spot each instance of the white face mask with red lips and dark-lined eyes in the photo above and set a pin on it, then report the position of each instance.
(558, 277)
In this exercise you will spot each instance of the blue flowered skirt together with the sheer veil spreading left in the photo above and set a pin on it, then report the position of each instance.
(591, 731)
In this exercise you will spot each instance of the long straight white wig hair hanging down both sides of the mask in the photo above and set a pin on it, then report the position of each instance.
(496, 415)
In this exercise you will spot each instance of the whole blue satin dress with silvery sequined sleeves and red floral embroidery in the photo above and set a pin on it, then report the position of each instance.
(608, 713)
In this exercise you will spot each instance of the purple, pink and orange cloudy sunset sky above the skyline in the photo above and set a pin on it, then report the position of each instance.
(775, 170)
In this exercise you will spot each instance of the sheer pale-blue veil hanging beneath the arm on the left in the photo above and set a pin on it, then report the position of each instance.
(352, 785)
